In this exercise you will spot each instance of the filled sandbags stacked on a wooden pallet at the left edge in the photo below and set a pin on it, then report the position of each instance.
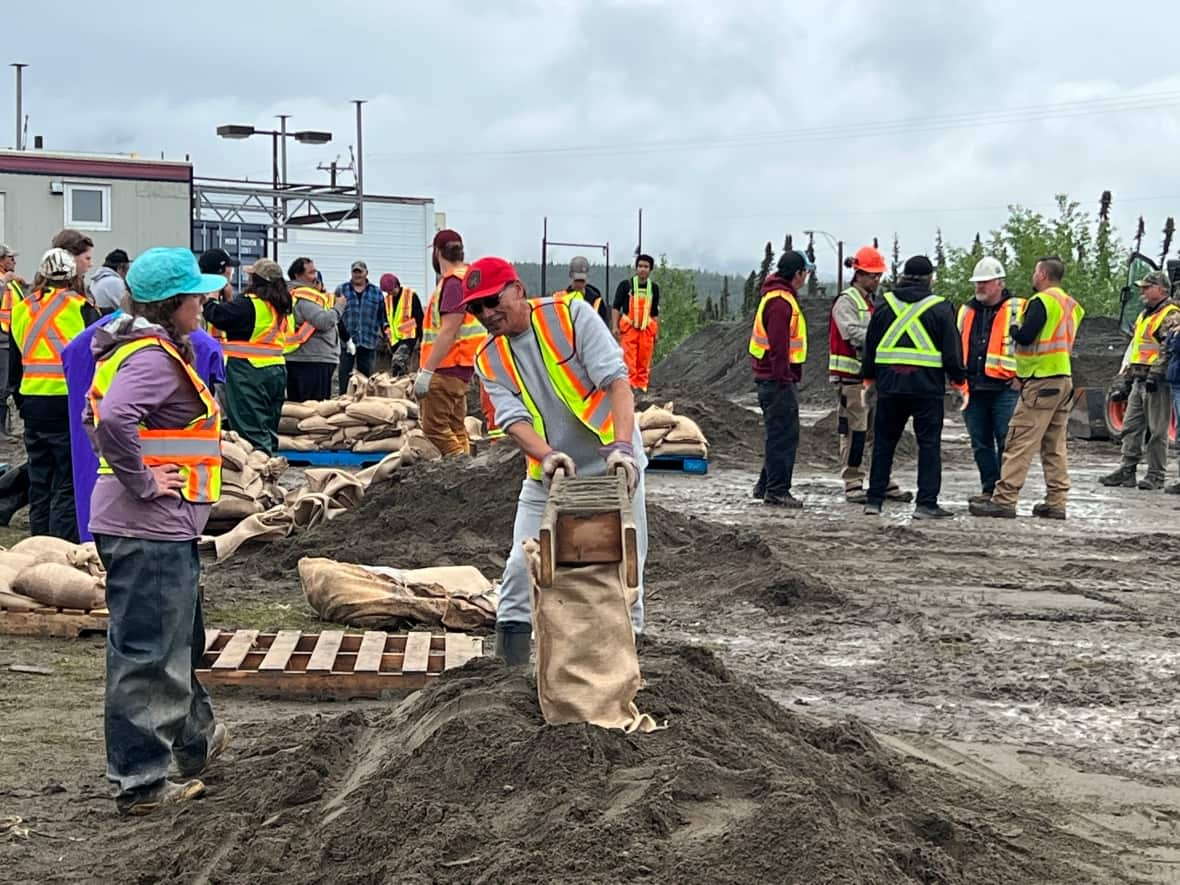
(49, 573)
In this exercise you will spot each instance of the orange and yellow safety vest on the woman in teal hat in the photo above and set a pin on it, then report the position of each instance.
(195, 449)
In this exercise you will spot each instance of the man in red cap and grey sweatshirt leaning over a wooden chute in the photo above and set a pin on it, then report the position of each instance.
(562, 391)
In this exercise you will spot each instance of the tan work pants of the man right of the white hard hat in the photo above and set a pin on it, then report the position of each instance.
(1039, 425)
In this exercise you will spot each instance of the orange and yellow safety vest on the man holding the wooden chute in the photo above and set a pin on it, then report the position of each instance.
(554, 330)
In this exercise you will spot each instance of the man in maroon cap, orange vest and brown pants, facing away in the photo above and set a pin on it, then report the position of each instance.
(450, 339)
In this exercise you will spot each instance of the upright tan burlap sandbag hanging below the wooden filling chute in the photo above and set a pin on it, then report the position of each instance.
(587, 666)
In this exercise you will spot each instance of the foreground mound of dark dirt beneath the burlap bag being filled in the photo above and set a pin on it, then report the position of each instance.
(463, 783)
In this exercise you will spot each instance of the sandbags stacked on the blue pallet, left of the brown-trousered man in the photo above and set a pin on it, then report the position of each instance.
(356, 423)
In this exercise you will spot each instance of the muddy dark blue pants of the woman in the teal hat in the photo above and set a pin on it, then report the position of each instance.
(155, 707)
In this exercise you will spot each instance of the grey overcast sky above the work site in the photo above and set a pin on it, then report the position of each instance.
(730, 124)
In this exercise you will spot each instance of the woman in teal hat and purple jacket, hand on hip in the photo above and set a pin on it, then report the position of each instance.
(156, 428)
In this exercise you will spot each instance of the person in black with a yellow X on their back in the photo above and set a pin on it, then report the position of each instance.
(912, 350)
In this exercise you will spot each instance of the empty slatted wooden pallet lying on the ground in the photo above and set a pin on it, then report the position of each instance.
(332, 664)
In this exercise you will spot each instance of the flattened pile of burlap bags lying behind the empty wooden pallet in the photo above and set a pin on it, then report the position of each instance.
(456, 598)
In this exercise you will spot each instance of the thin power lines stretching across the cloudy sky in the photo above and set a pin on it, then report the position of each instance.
(1031, 114)
